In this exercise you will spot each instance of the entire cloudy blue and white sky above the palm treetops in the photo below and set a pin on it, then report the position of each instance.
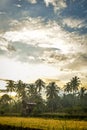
(44, 39)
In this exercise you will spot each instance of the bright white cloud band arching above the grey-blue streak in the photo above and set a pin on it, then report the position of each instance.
(35, 31)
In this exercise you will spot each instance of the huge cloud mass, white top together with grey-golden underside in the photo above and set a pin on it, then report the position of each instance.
(47, 43)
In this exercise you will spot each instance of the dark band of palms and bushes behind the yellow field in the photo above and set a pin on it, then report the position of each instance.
(29, 99)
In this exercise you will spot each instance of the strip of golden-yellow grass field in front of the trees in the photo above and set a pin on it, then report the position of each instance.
(45, 124)
